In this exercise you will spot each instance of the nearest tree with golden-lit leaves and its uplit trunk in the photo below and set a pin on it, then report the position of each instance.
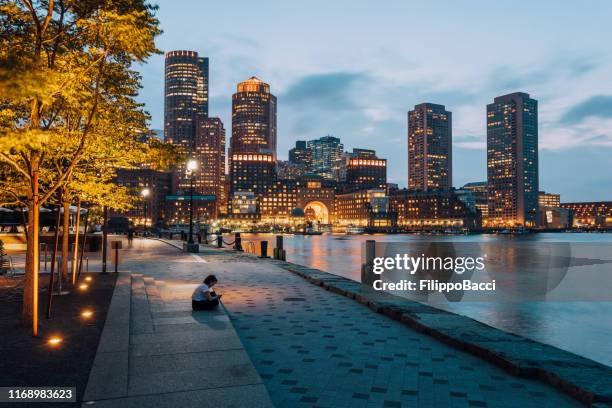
(65, 65)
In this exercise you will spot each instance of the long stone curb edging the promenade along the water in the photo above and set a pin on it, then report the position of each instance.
(583, 379)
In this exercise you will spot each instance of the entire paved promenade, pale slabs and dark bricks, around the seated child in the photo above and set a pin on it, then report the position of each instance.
(306, 345)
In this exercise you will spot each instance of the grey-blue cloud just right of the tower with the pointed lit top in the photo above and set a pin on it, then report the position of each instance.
(328, 90)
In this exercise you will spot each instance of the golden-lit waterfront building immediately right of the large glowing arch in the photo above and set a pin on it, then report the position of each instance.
(364, 208)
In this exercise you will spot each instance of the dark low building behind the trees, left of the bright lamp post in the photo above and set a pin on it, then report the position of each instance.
(157, 183)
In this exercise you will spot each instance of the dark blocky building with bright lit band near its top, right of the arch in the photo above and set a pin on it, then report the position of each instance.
(364, 170)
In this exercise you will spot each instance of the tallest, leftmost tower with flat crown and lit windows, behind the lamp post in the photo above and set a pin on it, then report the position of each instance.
(186, 100)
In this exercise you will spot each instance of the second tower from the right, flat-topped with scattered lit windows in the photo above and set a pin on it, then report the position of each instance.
(430, 152)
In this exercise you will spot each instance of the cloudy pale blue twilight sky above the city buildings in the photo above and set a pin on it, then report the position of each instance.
(354, 68)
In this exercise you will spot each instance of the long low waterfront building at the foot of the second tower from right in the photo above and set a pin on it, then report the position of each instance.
(434, 210)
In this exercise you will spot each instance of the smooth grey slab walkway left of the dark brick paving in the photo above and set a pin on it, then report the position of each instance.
(155, 351)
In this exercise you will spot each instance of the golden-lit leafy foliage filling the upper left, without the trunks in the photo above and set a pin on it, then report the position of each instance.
(67, 98)
